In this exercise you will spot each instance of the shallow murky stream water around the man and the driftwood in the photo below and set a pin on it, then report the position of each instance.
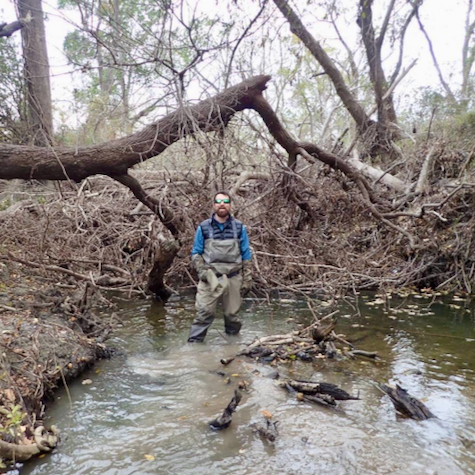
(147, 412)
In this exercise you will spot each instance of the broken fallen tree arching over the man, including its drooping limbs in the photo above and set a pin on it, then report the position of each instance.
(114, 158)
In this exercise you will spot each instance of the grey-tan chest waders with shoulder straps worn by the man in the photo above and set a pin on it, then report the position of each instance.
(223, 256)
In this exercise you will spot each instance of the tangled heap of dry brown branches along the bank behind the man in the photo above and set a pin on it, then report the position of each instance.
(310, 234)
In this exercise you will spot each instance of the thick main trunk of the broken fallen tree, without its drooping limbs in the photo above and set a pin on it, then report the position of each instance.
(115, 157)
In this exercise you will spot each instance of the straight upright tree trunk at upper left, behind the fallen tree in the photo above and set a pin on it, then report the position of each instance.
(37, 72)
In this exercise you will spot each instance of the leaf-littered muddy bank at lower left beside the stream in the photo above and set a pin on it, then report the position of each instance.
(48, 335)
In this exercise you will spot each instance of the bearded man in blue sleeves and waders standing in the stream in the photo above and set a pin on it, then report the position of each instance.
(222, 258)
